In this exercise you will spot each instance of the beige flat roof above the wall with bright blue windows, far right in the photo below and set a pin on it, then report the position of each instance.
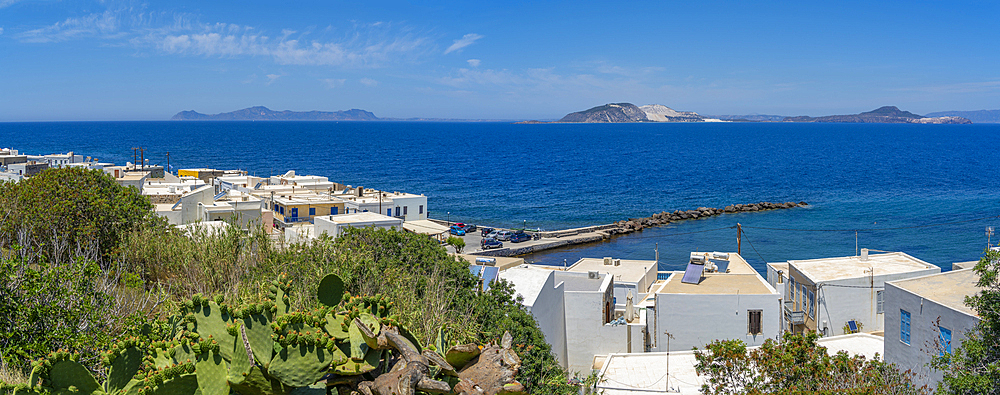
(948, 289)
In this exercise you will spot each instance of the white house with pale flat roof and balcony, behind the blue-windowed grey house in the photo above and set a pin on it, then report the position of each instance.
(825, 295)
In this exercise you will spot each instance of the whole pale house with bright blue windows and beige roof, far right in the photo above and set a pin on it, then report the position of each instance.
(927, 316)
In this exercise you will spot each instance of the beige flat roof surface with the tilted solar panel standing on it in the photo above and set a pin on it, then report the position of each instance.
(717, 284)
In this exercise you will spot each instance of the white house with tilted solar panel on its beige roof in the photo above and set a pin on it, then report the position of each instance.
(720, 296)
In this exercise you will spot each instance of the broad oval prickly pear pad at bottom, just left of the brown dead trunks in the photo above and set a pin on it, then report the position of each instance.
(300, 366)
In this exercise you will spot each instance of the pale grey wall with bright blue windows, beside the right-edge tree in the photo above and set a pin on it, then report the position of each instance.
(925, 316)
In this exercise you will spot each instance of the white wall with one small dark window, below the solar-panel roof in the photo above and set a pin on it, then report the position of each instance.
(696, 320)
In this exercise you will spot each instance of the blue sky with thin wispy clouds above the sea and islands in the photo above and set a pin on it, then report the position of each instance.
(131, 60)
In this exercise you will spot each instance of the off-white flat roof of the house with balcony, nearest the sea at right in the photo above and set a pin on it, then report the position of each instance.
(826, 269)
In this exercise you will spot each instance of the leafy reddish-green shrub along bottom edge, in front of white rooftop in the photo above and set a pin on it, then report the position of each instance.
(796, 364)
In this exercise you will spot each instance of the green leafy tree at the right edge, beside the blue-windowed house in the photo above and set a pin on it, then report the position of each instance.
(974, 367)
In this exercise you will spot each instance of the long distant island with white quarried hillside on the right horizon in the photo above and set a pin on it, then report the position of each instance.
(628, 112)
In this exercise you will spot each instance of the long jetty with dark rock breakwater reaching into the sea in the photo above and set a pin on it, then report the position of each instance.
(589, 234)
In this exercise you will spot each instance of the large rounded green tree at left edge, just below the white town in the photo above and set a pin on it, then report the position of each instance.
(68, 212)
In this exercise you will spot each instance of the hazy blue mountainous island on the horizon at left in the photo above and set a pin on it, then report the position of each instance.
(260, 113)
